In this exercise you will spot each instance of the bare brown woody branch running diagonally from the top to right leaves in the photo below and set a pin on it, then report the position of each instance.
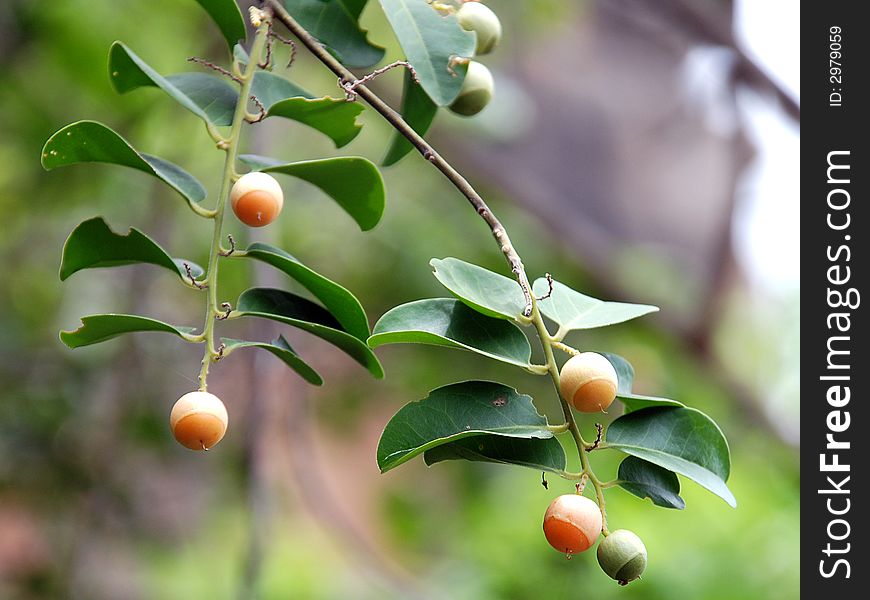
(428, 152)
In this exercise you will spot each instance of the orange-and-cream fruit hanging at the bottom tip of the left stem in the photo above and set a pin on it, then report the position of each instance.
(198, 420)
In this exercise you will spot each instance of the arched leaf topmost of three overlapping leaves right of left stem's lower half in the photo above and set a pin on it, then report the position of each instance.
(341, 303)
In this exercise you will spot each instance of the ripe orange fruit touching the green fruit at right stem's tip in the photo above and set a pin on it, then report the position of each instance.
(572, 523)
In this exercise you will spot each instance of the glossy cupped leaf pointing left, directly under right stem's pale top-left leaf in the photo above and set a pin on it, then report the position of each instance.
(450, 323)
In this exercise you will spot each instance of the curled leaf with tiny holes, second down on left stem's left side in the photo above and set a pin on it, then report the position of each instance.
(89, 141)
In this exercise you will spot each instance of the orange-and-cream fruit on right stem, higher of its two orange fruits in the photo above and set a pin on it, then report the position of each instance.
(589, 382)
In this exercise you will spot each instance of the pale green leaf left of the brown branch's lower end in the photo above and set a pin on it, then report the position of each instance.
(486, 292)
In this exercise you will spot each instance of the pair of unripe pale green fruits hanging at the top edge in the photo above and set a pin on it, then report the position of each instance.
(478, 87)
